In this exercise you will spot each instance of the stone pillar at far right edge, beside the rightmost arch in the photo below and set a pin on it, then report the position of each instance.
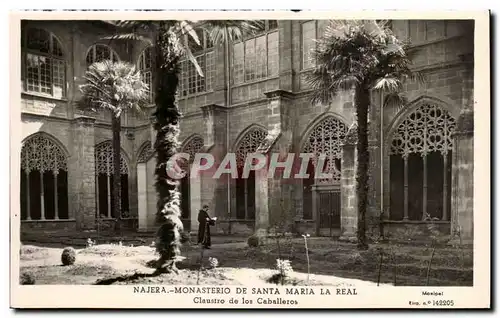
(462, 180)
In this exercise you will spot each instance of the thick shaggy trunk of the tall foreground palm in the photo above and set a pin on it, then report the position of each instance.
(167, 126)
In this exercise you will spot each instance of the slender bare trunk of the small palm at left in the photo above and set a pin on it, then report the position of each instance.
(116, 127)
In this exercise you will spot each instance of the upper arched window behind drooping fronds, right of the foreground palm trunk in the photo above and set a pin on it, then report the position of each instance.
(191, 82)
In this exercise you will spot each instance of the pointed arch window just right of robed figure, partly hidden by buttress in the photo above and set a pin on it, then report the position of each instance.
(245, 187)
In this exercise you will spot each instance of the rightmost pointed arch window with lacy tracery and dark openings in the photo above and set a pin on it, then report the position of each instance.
(420, 165)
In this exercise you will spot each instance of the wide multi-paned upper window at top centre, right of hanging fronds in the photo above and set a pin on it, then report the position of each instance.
(257, 57)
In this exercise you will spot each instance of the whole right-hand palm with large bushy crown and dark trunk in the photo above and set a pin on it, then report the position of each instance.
(361, 56)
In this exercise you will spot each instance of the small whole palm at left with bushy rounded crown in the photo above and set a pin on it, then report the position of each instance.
(114, 87)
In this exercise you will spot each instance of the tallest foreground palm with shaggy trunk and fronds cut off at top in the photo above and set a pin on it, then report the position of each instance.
(171, 46)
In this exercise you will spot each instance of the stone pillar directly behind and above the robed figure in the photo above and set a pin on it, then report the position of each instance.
(216, 192)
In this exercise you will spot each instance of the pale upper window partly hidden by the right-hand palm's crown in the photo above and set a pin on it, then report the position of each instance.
(310, 31)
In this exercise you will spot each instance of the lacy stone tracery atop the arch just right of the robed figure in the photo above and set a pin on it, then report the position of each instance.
(248, 141)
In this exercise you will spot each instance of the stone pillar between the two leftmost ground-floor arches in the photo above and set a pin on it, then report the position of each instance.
(82, 174)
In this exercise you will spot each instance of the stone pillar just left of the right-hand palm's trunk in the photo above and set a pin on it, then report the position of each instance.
(349, 207)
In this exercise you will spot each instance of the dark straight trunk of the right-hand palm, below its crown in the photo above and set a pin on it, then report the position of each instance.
(362, 100)
